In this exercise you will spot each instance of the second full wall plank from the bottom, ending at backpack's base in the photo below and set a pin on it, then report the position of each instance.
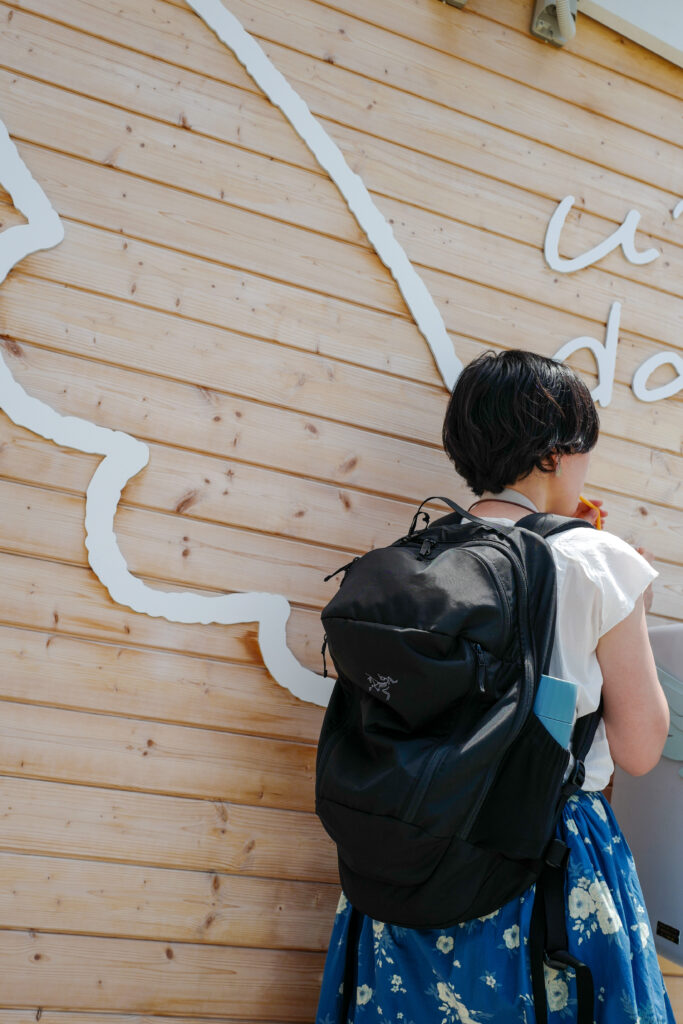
(100, 899)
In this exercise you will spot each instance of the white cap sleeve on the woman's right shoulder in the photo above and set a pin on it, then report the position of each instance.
(617, 575)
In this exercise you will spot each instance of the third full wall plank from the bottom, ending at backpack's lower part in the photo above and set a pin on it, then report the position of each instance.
(144, 829)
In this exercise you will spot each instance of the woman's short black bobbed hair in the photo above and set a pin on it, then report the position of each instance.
(509, 411)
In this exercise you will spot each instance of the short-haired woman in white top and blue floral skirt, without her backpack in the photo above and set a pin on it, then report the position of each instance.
(520, 429)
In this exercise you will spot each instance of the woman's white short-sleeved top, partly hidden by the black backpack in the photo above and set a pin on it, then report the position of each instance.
(600, 578)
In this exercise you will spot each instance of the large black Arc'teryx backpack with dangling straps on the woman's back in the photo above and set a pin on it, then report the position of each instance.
(439, 784)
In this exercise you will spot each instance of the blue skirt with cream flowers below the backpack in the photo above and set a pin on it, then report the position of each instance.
(480, 971)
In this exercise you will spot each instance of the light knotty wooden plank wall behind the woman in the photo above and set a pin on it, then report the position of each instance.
(215, 297)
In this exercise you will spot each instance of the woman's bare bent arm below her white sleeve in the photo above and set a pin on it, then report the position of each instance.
(635, 713)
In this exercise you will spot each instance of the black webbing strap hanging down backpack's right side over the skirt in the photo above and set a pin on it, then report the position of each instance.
(548, 935)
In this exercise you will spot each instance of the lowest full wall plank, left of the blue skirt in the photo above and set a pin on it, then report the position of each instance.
(157, 977)
